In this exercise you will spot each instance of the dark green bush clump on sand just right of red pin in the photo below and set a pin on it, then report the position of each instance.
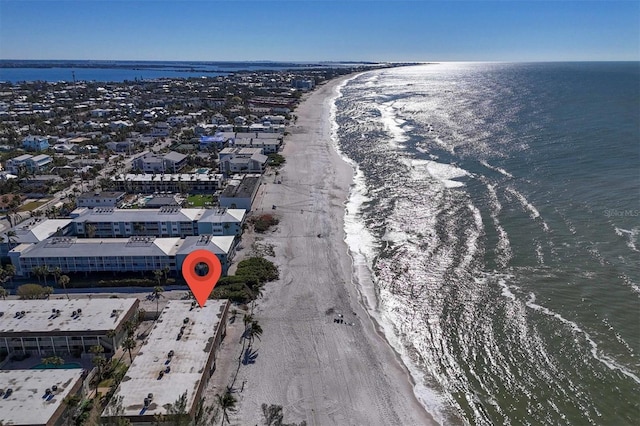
(247, 283)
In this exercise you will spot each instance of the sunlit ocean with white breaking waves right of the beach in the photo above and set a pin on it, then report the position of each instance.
(494, 226)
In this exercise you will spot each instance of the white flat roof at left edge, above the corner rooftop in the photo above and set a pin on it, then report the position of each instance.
(97, 315)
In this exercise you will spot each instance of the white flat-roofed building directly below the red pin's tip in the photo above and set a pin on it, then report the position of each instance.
(178, 358)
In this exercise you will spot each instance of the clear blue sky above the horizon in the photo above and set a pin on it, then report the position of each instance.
(302, 30)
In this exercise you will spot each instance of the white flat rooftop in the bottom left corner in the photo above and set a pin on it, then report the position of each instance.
(27, 404)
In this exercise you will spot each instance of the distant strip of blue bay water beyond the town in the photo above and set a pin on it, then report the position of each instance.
(119, 71)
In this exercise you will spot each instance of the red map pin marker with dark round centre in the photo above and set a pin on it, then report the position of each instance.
(201, 269)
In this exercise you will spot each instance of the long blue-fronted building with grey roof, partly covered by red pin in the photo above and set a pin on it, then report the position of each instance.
(134, 254)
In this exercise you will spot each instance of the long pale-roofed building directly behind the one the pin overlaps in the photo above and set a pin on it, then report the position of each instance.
(169, 221)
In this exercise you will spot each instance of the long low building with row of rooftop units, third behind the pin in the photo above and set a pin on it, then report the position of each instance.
(149, 183)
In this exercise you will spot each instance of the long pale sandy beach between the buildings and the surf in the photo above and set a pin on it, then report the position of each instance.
(321, 371)
